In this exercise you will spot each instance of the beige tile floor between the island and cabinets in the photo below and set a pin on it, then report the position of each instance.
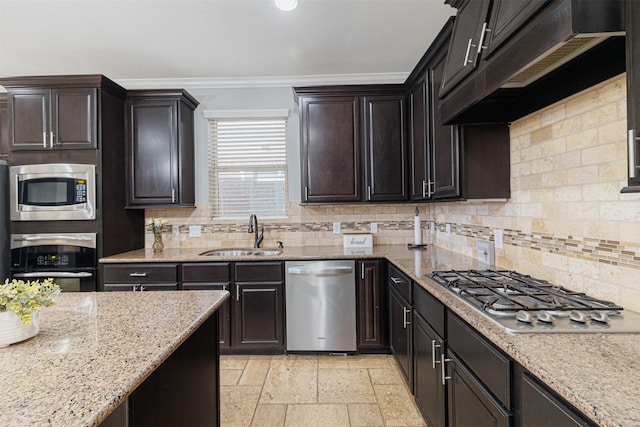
(314, 390)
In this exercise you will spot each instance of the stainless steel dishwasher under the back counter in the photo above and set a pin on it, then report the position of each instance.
(321, 306)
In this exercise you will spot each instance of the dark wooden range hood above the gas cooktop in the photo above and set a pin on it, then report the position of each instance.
(566, 47)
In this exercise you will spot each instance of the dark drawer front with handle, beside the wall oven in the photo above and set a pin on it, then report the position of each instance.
(141, 273)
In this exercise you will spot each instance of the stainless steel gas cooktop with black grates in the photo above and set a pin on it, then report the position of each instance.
(521, 303)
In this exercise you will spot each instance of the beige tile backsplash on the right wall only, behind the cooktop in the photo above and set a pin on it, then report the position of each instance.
(566, 220)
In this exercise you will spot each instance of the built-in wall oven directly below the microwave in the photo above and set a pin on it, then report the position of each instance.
(68, 258)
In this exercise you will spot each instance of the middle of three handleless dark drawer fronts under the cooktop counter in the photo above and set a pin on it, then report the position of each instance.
(485, 361)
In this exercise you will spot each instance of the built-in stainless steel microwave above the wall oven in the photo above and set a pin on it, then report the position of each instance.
(53, 192)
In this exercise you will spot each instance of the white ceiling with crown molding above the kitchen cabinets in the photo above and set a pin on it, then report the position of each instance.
(212, 43)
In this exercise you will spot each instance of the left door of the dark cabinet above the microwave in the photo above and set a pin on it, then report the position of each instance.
(29, 118)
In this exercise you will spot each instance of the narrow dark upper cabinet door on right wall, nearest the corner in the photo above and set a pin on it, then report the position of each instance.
(420, 152)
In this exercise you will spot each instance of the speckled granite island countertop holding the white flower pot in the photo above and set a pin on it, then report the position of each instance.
(92, 351)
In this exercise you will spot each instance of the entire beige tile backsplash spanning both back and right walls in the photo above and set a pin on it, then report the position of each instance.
(566, 220)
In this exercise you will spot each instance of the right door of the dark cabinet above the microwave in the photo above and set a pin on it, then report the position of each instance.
(74, 118)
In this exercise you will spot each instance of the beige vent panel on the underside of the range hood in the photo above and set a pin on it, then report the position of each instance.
(553, 59)
